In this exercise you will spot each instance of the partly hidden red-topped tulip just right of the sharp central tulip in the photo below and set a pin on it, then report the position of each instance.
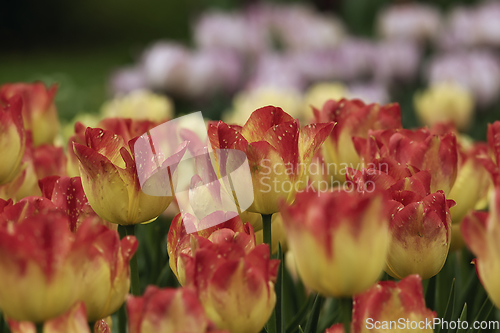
(353, 119)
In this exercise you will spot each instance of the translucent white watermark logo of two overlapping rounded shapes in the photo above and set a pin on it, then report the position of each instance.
(176, 159)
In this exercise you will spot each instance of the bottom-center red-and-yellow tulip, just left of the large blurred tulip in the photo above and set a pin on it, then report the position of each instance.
(235, 286)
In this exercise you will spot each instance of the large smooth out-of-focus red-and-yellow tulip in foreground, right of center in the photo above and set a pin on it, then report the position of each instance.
(339, 239)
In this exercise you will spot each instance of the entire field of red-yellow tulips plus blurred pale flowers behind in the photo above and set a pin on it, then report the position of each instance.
(331, 183)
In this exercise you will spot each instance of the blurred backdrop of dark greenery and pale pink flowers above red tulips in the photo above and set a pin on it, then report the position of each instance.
(225, 57)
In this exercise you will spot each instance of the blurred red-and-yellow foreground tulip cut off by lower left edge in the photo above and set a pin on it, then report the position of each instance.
(41, 267)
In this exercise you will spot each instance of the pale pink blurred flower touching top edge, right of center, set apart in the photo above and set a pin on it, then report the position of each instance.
(413, 21)
